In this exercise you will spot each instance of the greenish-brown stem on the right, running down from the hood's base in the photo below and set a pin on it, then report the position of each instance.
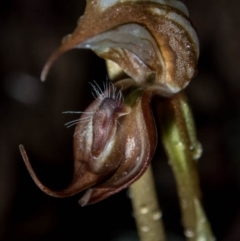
(182, 147)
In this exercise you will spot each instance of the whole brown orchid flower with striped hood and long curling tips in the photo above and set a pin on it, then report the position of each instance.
(155, 44)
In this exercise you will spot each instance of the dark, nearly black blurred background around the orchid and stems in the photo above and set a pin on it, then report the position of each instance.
(31, 114)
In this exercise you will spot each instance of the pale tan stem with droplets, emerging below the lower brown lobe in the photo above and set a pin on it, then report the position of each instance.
(147, 212)
